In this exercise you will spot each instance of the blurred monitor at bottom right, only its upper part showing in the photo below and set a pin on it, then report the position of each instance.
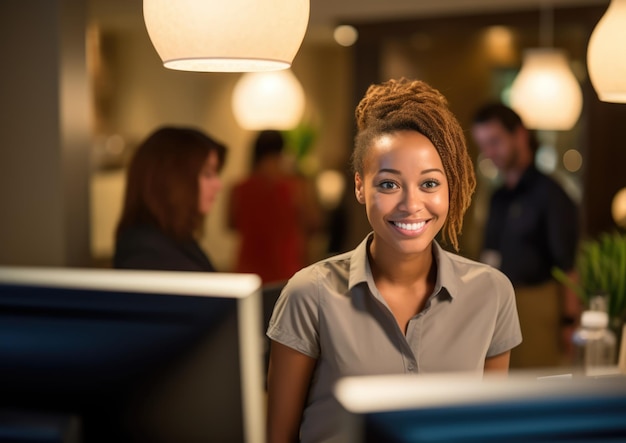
(462, 408)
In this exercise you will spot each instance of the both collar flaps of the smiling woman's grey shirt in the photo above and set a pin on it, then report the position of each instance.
(360, 271)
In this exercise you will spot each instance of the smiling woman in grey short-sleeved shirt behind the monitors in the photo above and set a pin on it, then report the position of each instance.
(398, 303)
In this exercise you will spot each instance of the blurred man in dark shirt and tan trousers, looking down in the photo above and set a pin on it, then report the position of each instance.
(532, 227)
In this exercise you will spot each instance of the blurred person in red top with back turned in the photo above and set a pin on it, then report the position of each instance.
(275, 212)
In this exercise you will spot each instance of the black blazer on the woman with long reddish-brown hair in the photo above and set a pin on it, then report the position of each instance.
(147, 247)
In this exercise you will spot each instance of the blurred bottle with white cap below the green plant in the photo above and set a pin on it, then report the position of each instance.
(594, 343)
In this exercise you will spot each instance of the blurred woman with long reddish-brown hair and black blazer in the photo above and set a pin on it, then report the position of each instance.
(172, 182)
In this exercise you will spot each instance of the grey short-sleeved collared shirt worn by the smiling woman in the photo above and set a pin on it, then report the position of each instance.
(332, 311)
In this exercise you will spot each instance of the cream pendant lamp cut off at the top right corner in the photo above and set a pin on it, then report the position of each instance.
(606, 54)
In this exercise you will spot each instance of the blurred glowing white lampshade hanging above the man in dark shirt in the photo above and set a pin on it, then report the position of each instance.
(546, 93)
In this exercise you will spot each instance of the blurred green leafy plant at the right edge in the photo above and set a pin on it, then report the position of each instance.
(601, 269)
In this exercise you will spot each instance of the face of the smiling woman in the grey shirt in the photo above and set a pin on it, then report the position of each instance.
(405, 192)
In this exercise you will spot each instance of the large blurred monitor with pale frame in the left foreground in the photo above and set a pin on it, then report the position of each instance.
(134, 355)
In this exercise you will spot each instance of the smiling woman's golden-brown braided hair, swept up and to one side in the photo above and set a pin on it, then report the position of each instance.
(397, 105)
